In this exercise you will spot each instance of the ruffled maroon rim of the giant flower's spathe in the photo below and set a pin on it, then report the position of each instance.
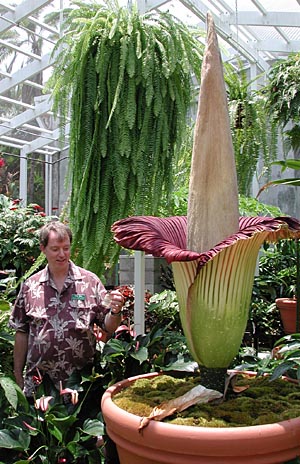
(167, 237)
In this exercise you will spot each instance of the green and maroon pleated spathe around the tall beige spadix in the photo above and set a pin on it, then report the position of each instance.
(214, 287)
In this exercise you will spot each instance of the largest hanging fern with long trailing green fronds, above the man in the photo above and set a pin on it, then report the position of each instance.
(129, 79)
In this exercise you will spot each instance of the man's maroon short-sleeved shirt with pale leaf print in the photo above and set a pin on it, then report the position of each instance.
(59, 324)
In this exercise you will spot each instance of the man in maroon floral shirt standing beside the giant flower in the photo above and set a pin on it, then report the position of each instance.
(55, 312)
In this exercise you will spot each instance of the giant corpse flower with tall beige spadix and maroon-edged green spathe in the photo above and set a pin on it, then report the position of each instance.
(213, 252)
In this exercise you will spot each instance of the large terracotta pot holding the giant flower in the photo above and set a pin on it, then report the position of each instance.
(175, 444)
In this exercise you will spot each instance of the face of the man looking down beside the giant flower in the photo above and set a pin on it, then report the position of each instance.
(57, 252)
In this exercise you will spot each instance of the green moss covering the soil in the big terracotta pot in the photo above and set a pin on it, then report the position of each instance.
(263, 402)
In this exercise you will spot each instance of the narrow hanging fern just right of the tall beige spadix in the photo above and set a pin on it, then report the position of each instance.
(253, 133)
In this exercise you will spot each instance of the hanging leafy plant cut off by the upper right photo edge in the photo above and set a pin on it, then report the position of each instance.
(283, 96)
